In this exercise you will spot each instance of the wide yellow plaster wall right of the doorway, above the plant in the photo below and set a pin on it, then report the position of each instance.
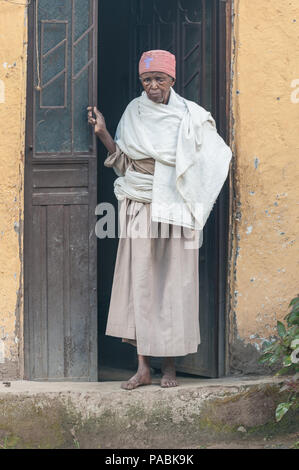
(265, 97)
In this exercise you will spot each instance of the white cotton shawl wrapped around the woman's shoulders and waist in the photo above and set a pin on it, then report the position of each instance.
(192, 160)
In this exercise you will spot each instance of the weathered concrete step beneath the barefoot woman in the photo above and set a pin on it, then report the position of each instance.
(200, 412)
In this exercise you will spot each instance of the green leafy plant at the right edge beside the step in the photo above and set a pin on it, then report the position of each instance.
(285, 350)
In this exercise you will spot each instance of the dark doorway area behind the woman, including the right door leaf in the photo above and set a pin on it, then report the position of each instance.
(195, 31)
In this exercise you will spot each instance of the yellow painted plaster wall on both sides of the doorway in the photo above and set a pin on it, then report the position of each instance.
(264, 263)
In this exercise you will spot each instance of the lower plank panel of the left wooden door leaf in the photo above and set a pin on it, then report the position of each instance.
(59, 295)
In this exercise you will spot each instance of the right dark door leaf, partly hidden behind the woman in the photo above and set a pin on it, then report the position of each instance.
(195, 31)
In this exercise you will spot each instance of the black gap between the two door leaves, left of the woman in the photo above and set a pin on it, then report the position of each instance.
(113, 97)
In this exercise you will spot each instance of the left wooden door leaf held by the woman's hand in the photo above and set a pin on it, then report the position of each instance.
(60, 193)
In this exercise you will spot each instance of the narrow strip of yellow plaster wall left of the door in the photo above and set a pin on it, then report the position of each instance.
(13, 57)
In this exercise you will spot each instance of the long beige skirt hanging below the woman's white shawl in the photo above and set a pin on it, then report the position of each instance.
(155, 292)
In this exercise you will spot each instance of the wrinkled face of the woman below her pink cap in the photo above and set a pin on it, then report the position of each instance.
(157, 85)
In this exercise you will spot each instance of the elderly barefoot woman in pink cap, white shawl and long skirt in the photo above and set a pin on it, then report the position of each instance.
(171, 165)
